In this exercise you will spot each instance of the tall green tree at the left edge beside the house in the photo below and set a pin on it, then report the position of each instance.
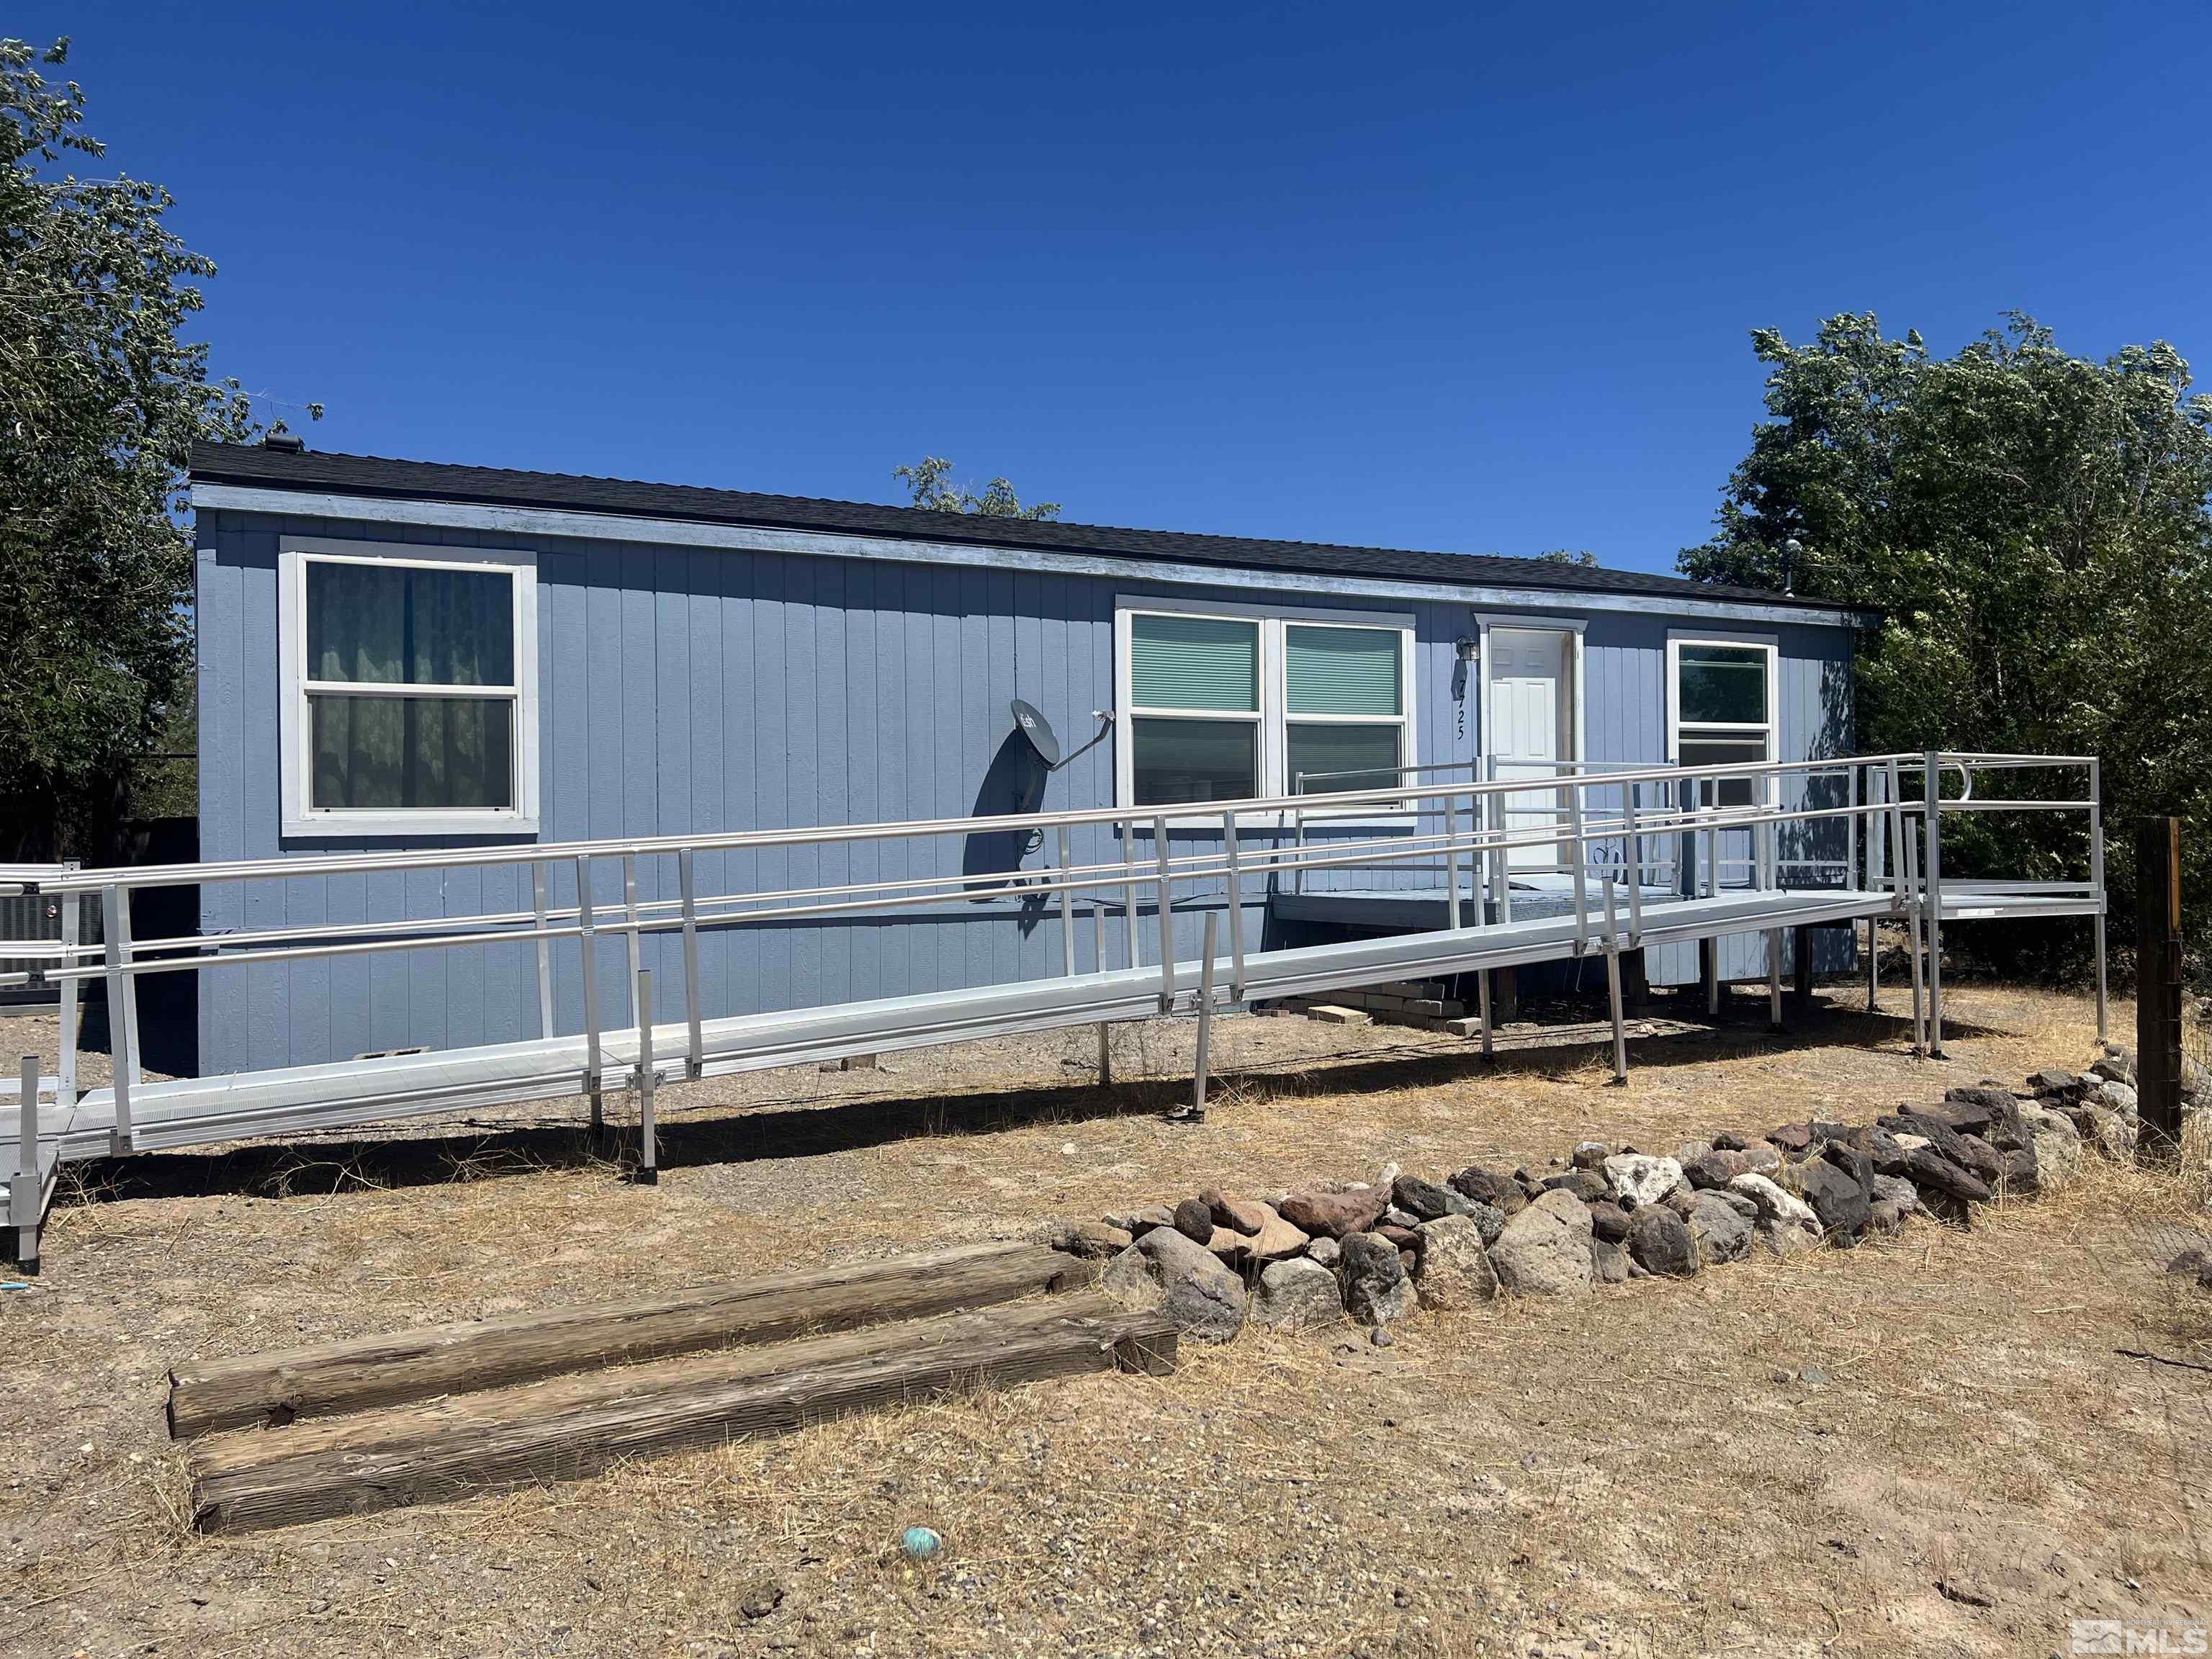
(101, 404)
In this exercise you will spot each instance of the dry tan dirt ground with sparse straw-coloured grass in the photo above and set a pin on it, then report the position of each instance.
(1775, 1459)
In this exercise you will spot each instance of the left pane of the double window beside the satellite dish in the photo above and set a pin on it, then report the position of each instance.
(1196, 724)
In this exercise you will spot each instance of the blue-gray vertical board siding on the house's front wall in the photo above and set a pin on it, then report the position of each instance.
(696, 691)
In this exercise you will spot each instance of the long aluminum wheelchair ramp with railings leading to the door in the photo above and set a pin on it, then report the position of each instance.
(1647, 855)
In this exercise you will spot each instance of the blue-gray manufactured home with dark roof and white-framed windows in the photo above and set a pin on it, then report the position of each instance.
(410, 656)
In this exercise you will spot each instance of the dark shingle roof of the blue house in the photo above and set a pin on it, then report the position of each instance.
(567, 492)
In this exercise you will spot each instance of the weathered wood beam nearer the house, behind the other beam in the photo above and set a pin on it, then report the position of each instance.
(517, 1348)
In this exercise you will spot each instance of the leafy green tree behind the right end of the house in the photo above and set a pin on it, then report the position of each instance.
(2034, 530)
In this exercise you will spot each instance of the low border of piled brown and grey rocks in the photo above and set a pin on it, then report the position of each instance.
(1377, 1251)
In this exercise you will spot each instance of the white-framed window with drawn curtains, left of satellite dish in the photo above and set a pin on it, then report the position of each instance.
(410, 689)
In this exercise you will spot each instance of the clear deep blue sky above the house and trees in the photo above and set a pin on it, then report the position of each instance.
(1463, 280)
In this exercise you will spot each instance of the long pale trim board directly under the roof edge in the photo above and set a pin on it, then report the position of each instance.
(674, 532)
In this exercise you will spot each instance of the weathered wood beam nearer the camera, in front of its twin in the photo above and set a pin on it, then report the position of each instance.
(576, 1426)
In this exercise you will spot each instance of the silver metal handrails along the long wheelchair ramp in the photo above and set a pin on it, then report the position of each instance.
(1611, 835)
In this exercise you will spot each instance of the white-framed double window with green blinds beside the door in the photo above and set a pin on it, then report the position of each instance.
(1224, 702)
